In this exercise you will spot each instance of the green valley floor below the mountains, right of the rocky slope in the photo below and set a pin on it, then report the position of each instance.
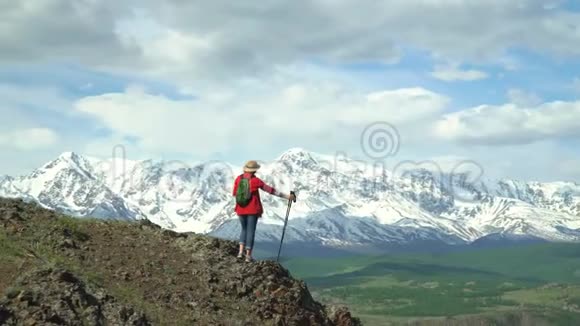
(537, 282)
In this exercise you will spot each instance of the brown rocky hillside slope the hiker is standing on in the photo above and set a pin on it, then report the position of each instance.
(94, 272)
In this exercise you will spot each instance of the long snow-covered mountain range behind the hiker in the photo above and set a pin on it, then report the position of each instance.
(341, 201)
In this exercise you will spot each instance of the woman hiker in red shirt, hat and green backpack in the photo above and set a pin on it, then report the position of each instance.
(249, 213)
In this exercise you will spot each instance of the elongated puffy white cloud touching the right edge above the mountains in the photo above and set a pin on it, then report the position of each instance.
(510, 124)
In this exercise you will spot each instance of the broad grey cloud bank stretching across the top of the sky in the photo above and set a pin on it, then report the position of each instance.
(209, 40)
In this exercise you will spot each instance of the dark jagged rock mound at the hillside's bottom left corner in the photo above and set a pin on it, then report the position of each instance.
(57, 297)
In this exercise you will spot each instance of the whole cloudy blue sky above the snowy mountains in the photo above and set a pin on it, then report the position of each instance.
(492, 81)
